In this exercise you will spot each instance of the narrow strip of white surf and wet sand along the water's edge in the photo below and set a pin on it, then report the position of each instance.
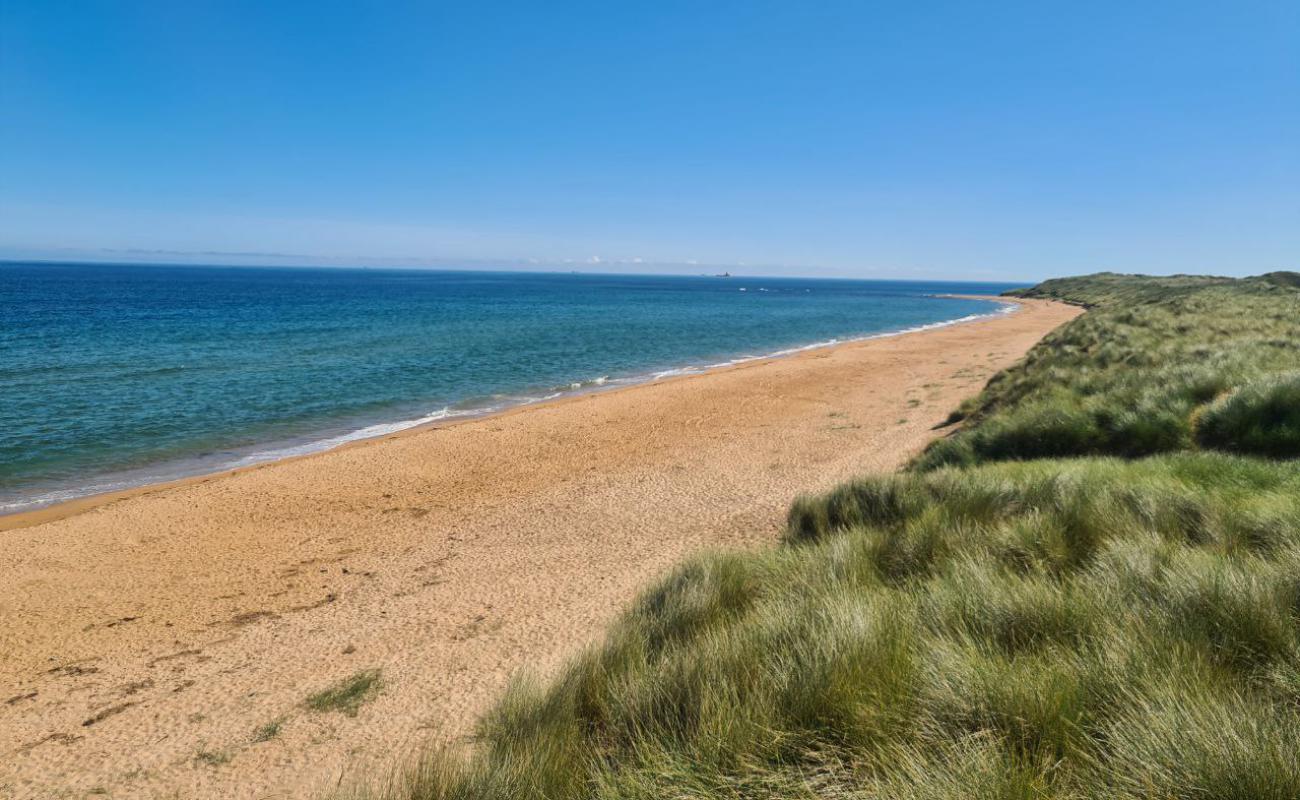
(41, 513)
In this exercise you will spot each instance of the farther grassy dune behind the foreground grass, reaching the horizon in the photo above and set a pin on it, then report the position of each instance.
(1136, 375)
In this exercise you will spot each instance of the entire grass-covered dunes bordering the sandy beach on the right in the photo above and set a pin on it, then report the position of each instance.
(1093, 590)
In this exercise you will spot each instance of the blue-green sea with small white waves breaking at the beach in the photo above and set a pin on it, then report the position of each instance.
(122, 375)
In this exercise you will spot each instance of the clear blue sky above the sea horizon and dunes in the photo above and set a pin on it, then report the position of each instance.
(889, 140)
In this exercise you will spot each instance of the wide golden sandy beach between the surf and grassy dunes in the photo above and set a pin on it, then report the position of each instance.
(146, 638)
